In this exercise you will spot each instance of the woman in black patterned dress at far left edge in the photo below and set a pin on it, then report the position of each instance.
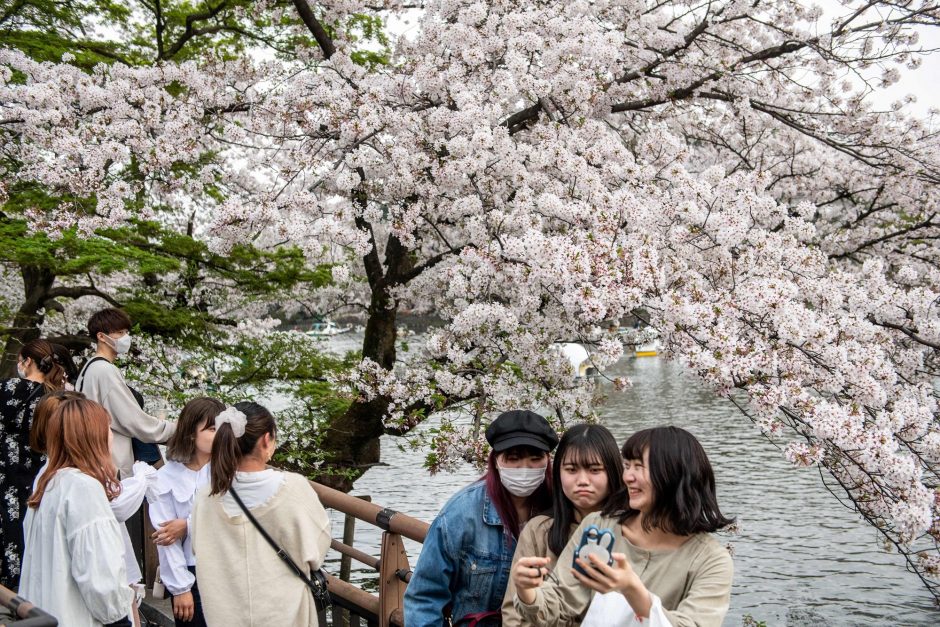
(39, 373)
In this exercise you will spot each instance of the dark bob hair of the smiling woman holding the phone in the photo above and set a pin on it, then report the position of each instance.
(684, 500)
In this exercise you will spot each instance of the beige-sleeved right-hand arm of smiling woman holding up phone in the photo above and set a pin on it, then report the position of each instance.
(710, 591)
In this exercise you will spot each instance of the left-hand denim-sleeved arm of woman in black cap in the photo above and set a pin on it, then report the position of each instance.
(430, 588)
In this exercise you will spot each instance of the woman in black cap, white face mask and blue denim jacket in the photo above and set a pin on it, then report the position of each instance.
(463, 569)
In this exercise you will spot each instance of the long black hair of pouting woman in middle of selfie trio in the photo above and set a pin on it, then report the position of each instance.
(583, 445)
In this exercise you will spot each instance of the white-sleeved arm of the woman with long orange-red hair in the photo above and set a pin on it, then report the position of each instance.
(97, 567)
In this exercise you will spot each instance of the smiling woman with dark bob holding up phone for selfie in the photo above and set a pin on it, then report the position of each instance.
(666, 567)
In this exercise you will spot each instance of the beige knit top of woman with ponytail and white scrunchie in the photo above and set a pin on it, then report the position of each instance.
(241, 579)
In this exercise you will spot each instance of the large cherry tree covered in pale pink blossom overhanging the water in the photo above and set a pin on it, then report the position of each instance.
(528, 171)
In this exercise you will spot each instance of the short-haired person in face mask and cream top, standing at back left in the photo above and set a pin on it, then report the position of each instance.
(101, 381)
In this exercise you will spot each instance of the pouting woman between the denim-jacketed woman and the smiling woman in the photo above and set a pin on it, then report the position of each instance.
(588, 477)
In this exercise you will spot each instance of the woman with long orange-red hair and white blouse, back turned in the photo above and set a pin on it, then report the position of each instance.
(73, 564)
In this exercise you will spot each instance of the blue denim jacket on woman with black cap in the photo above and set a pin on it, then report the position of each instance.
(464, 562)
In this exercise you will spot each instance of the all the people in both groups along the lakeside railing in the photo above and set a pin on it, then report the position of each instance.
(524, 545)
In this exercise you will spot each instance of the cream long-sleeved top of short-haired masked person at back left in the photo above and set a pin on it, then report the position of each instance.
(101, 381)
